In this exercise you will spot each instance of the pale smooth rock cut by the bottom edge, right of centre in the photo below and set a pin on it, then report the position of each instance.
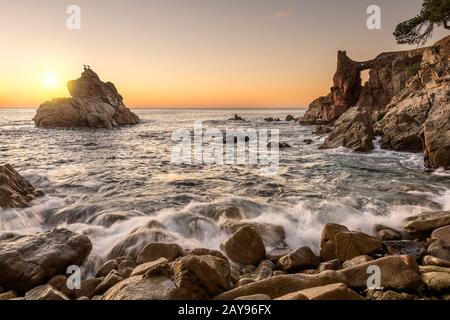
(336, 291)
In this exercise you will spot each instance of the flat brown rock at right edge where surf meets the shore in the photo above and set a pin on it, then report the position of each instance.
(423, 224)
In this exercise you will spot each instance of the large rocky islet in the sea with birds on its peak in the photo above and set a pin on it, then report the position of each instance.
(94, 104)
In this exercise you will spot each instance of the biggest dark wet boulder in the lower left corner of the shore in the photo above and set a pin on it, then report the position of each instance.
(29, 261)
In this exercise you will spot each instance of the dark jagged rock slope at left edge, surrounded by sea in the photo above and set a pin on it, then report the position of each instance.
(15, 191)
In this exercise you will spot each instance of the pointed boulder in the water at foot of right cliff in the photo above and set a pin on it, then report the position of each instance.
(352, 130)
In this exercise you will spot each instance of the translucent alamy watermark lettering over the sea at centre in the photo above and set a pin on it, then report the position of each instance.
(228, 147)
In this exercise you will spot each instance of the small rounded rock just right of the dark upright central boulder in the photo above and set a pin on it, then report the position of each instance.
(301, 259)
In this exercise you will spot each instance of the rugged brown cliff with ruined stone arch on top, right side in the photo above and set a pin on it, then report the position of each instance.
(406, 101)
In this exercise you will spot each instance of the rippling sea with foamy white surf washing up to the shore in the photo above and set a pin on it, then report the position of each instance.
(90, 175)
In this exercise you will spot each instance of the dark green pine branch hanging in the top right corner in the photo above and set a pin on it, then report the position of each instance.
(434, 13)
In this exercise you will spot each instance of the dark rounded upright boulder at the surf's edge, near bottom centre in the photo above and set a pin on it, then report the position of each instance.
(245, 246)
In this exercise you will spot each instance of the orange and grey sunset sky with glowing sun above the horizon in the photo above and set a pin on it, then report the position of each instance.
(190, 53)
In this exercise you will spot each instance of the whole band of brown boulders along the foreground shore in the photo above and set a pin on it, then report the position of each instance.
(414, 264)
